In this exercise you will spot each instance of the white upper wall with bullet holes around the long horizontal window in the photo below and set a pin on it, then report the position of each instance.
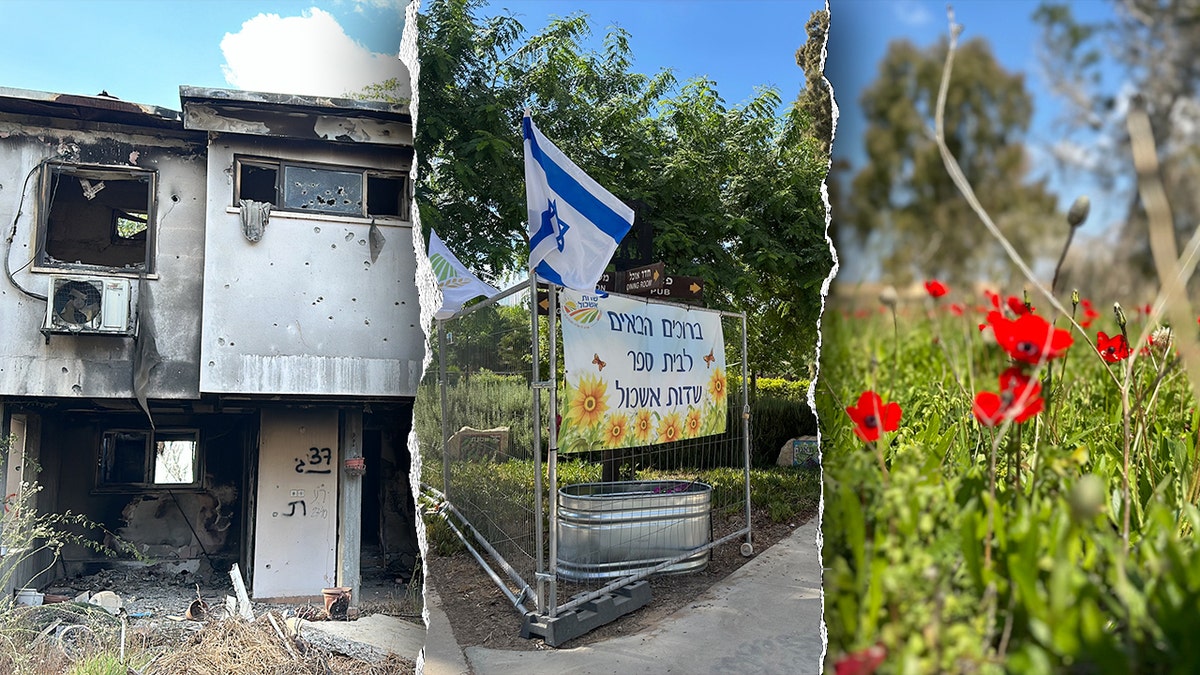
(322, 304)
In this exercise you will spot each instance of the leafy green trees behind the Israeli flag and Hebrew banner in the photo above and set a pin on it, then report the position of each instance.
(733, 194)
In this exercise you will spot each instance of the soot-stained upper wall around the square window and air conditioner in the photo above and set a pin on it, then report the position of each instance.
(101, 367)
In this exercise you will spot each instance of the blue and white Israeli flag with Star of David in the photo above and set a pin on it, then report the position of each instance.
(574, 224)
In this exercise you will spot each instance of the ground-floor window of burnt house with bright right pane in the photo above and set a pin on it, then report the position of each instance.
(149, 458)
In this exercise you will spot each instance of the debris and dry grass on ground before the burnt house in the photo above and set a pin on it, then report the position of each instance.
(206, 635)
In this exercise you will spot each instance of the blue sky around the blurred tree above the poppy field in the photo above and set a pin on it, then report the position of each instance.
(862, 29)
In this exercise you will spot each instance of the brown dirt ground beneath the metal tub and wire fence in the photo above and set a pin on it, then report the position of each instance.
(482, 616)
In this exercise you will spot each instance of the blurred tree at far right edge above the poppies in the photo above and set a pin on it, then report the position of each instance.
(1149, 50)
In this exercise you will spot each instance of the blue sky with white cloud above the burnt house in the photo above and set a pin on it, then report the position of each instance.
(142, 51)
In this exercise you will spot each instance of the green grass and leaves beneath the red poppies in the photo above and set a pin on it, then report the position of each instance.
(952, 575)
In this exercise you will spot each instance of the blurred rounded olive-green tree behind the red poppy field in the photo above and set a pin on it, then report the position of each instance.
(903, 202)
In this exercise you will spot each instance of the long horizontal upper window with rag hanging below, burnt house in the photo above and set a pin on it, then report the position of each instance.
(322, 189)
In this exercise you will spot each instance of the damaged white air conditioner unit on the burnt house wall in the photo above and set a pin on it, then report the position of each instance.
(88, 306)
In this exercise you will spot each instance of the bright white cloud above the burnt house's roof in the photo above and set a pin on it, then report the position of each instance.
(310, 55)
